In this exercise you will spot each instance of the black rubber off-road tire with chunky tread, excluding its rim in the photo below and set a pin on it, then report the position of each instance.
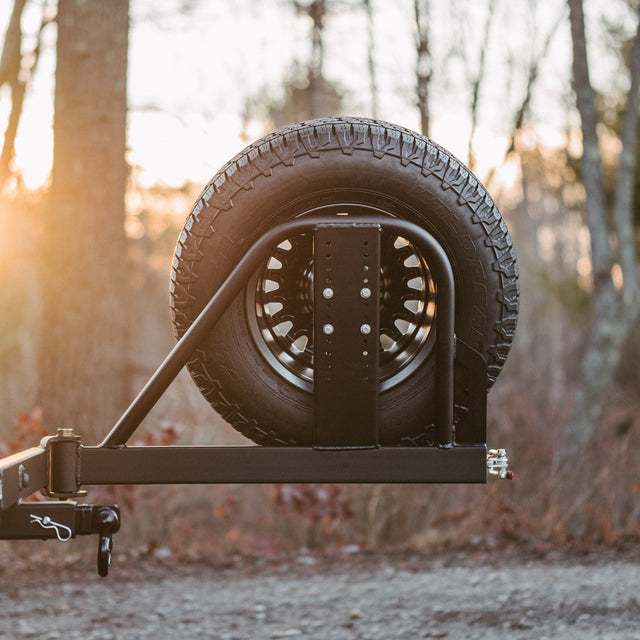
(356, 163)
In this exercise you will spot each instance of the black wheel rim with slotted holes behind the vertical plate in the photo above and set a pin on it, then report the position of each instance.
(279, 304)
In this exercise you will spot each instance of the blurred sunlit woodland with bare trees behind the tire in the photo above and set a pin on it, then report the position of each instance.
(115, 114)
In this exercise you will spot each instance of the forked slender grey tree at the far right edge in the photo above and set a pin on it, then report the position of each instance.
(612, 313)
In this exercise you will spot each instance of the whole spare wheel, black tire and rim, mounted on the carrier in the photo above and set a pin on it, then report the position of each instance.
(256, 366)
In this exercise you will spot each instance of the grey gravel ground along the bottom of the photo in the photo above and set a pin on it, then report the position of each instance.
(352, 597)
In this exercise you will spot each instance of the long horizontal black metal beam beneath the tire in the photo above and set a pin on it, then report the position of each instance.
(258, 465)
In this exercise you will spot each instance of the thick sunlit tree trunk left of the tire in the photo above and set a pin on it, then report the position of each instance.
(83, 255)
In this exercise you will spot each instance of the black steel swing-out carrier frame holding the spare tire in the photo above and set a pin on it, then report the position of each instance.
(346, 447)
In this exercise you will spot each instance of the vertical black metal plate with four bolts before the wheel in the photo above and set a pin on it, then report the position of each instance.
(346, 278)
